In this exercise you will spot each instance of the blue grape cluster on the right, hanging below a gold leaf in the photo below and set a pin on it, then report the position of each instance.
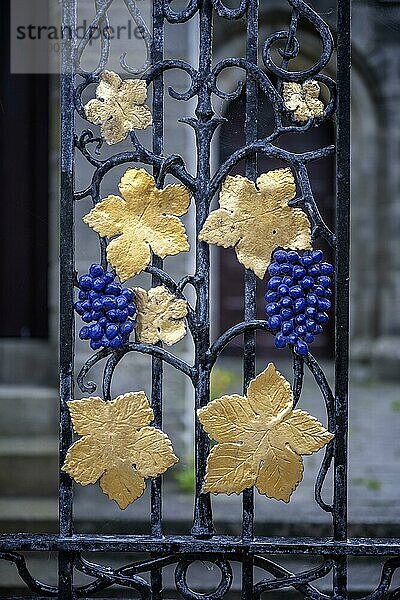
(298, 297)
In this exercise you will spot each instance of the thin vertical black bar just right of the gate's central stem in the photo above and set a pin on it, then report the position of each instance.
(249, 345)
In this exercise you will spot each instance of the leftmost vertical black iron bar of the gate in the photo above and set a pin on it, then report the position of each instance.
(66, 289)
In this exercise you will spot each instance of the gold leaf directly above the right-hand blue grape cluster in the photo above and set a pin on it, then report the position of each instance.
(255, 219)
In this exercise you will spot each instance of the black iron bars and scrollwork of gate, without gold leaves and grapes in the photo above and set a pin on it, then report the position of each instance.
(260, 78)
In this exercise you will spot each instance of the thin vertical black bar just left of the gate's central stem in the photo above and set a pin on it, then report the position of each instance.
(157, 54)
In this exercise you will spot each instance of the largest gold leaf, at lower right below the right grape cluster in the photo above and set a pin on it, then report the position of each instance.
(260, 439)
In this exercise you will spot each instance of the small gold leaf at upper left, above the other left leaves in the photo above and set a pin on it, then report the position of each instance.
(119, 107)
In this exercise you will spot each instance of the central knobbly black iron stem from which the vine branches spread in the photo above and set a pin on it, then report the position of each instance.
(204, 128)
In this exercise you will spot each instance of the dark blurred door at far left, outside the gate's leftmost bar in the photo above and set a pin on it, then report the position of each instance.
(24, 191)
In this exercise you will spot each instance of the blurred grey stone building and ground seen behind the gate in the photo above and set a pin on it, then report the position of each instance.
(29, 169)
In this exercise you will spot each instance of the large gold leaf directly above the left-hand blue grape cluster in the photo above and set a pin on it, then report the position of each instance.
(144, 219)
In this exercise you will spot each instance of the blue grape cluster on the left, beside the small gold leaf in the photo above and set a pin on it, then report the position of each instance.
(108, 306)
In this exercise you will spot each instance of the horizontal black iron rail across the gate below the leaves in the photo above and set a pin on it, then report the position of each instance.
(174, 544)
